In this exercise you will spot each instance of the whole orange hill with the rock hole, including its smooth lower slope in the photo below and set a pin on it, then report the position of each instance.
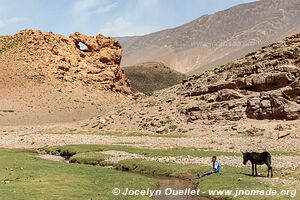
(45, 77)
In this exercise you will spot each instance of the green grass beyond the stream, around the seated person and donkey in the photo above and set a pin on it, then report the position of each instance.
(230, 178)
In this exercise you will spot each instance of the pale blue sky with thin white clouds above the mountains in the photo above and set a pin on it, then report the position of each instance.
(108, 17)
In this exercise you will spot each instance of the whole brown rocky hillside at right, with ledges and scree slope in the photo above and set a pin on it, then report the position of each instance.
(264, 85)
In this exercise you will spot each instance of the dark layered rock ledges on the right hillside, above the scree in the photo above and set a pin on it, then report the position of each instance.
(265, 83)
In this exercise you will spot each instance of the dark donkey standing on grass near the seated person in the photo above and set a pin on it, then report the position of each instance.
(258, 159)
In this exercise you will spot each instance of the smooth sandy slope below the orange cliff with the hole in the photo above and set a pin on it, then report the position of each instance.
(46, 104)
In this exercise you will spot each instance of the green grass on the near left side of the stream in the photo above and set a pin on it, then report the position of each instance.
(24, 176)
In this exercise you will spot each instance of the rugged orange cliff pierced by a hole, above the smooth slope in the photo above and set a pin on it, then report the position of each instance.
(80, 60)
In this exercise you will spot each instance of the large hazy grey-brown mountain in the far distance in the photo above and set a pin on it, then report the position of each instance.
(216, 39)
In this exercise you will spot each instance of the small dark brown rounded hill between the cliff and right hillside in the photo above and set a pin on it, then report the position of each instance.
(151, 76)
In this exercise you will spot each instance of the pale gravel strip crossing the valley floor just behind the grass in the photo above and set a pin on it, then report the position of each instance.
(34, 140)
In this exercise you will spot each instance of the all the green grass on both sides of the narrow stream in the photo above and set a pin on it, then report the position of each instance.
(25, 176)
